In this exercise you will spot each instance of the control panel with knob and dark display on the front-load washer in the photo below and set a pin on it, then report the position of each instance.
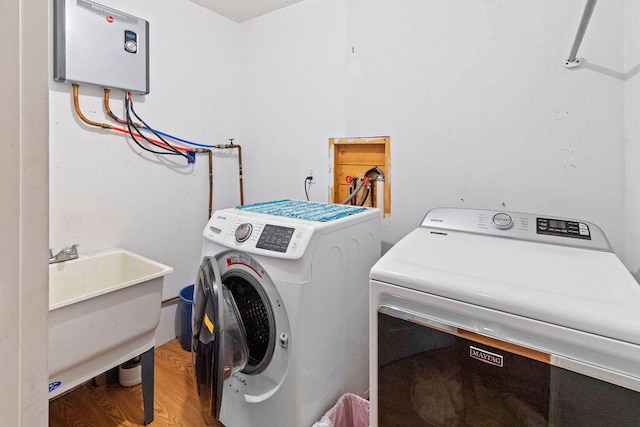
(254, 233)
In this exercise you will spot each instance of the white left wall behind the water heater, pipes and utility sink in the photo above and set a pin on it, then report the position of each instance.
(105, 191)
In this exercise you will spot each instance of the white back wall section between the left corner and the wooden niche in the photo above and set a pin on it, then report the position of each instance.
(292, 97)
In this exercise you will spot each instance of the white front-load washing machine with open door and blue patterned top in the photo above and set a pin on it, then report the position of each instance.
(280, 314)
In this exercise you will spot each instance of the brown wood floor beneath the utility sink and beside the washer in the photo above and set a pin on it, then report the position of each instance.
(175, 400)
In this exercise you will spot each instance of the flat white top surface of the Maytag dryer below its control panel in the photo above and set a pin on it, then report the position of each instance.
(586, 290)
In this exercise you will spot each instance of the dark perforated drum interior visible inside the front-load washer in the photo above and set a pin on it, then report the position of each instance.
(257, 317)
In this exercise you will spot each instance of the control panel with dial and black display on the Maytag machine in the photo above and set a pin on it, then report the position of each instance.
(516, 225)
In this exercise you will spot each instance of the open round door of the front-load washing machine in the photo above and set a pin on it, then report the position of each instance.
(219, 343)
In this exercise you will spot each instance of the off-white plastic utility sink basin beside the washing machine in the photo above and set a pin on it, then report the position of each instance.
(104, 308)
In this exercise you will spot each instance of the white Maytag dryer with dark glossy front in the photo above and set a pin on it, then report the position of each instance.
(496, 318)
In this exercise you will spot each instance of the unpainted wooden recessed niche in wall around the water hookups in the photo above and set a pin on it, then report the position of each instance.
(353, 157)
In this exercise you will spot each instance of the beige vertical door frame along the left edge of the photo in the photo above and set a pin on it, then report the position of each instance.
(23, 213)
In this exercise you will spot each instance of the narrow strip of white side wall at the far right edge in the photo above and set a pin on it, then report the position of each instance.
(632, 135)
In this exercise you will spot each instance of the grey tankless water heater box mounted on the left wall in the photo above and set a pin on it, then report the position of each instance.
(98, 45)
